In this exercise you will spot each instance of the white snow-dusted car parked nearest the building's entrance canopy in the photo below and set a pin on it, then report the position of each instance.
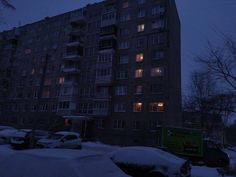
(61, 139)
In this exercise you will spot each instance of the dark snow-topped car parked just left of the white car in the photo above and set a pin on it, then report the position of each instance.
(21, 138)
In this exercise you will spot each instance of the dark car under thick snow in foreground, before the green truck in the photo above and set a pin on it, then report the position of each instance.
(150, 162)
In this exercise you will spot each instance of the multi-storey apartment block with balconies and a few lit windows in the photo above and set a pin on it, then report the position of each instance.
(112, 68)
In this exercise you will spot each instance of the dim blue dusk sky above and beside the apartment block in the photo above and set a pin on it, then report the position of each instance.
(201, 20)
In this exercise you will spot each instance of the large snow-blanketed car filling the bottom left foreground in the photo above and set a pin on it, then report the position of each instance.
(57, 163)
